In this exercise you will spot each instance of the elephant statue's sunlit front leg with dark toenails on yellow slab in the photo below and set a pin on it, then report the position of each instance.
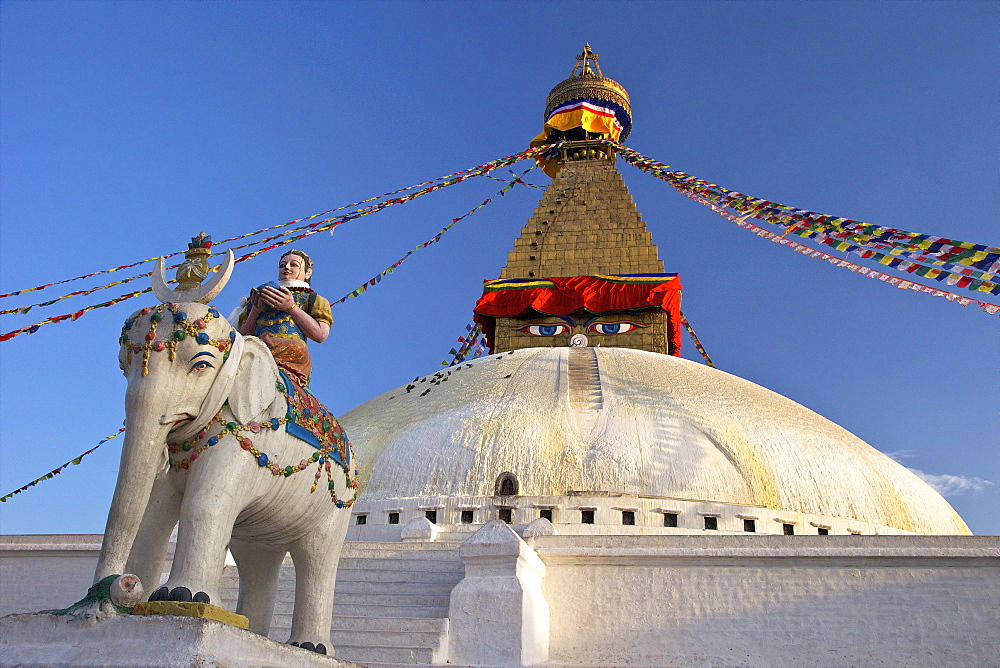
(203, 532)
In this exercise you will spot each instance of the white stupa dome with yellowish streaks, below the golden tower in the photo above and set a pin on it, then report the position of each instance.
(568, 421)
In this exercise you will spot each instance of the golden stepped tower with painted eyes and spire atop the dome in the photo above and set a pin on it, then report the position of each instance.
(585, 228)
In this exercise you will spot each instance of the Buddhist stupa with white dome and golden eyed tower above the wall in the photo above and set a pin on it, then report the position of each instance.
(587, 411)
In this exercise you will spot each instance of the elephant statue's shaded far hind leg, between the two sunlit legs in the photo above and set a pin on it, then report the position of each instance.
(259, 566)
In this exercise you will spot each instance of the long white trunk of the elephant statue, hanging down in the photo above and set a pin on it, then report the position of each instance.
(143, 455)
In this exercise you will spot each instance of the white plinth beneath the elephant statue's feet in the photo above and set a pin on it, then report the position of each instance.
(48, 640)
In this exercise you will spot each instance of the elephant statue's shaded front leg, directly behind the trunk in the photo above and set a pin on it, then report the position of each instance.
(149, 551)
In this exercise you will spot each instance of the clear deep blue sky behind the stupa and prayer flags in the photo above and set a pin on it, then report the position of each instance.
(126, 128)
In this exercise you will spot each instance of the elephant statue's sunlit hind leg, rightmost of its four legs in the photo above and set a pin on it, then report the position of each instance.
(316, 558)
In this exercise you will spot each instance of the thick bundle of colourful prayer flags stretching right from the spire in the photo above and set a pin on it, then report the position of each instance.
(959, 263)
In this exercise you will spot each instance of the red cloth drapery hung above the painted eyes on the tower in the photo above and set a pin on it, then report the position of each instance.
(562, 295)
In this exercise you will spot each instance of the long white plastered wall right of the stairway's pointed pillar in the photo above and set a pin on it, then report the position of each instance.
(773, 600)
